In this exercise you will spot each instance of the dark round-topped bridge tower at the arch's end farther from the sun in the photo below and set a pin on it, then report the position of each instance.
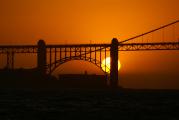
(41, 57)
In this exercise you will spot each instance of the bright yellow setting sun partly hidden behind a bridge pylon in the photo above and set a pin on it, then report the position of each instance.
(106, 67)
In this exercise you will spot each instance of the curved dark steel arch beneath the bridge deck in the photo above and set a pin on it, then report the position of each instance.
(53, 66)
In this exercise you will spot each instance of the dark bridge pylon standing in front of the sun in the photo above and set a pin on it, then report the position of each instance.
(114, 63)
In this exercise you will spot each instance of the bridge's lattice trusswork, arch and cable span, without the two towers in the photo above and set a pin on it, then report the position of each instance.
(94, 53)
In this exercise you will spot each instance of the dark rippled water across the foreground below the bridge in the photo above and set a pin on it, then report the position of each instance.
(89, 105)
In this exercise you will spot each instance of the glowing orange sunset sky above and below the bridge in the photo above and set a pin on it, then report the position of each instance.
(96, 21)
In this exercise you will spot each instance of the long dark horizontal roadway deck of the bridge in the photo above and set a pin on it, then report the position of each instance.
(122, 47)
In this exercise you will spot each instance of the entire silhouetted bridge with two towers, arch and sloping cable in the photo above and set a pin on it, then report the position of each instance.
(49, 57)
